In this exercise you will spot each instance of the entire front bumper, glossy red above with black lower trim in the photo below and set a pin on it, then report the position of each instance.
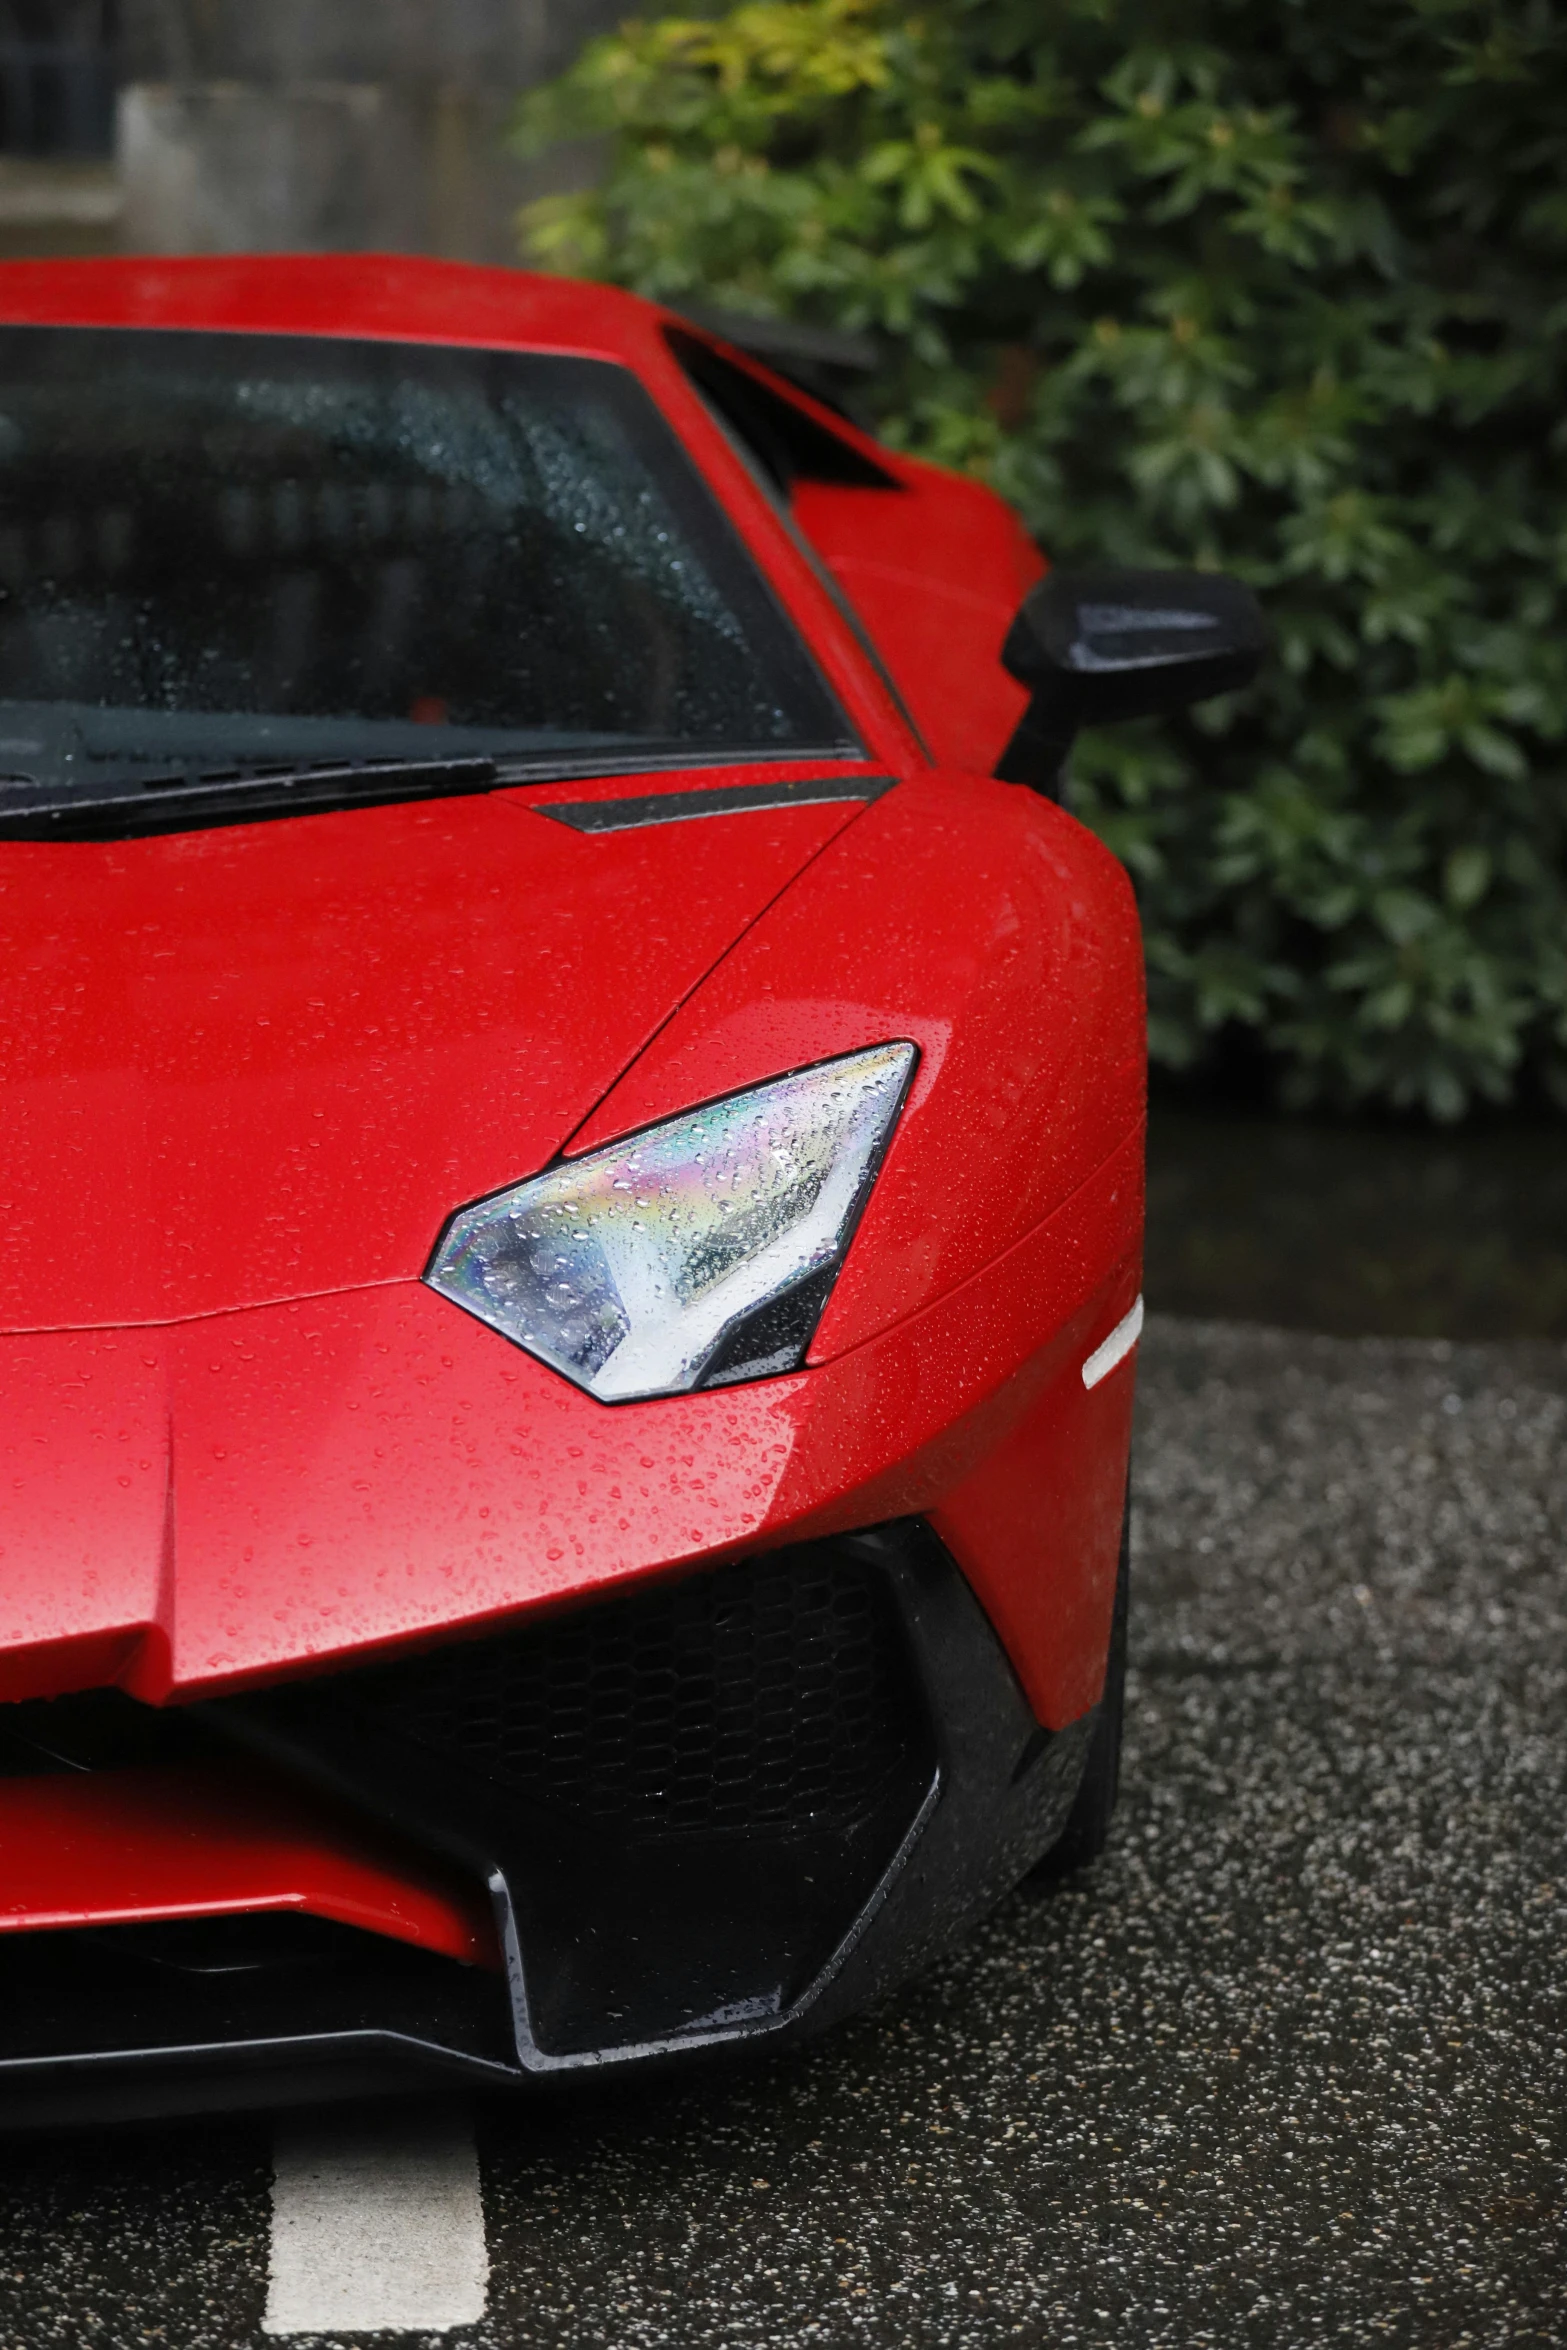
(278, 1533)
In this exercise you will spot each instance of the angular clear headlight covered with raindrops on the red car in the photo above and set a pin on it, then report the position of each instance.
(697, 1254)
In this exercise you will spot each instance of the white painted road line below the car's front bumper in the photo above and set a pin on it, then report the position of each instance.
(377, 2224)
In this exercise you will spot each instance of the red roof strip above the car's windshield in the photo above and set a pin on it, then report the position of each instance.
(335, 295)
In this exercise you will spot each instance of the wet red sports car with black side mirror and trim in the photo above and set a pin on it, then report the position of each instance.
(572, 1186)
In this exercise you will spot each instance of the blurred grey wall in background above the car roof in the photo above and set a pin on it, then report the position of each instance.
(248, 126)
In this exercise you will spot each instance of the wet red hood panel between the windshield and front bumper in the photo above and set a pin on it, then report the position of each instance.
(269, 1061)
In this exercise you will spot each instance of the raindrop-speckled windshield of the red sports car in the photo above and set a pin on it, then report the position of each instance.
(234, 553)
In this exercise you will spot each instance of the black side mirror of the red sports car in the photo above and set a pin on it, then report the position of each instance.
(1122, 645)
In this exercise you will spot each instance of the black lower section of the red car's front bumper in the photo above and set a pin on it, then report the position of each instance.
(708, 1813)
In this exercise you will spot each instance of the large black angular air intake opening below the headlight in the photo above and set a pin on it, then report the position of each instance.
(690, 1790)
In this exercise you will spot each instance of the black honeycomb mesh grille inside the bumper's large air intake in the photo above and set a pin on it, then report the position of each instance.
(760, 1696)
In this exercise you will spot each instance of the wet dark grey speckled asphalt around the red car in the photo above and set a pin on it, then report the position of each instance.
(1291, 2067)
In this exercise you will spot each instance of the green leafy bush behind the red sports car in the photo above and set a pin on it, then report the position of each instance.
(1270, 286)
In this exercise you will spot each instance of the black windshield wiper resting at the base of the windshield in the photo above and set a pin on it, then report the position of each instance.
(177, 805)
